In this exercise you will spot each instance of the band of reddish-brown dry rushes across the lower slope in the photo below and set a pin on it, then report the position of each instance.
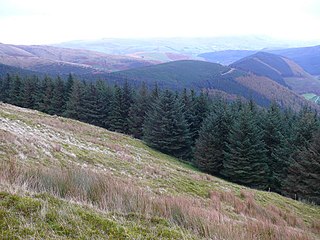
(207, 218)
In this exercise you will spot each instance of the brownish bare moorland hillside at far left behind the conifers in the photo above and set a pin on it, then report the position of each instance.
(54, 60)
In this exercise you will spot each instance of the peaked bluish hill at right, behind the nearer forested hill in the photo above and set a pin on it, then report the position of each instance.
(280, 69)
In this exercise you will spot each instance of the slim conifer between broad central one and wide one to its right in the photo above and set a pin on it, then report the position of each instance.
(211, 144)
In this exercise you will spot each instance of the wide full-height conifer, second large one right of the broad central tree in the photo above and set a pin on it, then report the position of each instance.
(245, 159)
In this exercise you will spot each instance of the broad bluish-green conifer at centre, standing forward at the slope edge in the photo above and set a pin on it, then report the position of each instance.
(165, 127)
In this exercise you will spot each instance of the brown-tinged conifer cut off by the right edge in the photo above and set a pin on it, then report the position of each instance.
(303, 180)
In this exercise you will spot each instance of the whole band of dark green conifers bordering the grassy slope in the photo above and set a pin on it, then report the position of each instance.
(272, 149)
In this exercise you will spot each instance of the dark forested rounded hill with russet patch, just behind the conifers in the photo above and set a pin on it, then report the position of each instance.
(214, 78)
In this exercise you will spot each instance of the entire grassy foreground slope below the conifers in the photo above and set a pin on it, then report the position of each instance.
(72, 180)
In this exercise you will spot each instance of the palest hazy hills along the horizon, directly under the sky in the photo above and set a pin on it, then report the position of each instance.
(167, 49)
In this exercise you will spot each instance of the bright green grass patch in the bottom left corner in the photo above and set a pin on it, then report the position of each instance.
(42, 216)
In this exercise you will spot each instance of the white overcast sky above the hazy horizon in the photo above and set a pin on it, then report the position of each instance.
(44, 21)
